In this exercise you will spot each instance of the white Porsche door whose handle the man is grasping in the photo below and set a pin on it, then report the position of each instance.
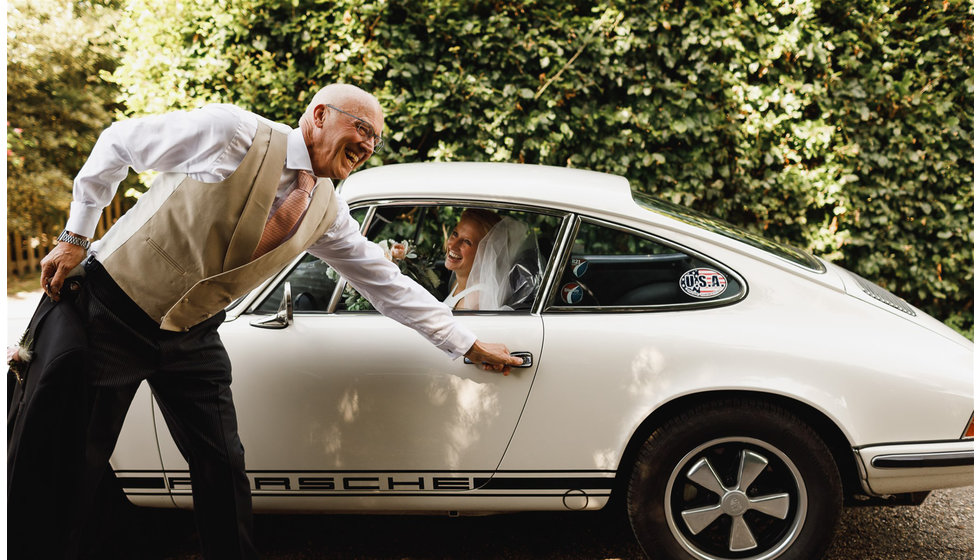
(346, 402)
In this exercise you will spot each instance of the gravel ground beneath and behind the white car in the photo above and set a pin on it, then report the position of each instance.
(939, 529)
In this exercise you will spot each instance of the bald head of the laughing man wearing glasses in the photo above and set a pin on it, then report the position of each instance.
(338, 142)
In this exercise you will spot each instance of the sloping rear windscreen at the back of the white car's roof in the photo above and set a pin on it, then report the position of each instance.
(710, 223)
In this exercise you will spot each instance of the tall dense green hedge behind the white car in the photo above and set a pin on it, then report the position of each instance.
(842, 126)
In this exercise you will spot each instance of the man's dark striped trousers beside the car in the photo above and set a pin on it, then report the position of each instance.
(189, 374)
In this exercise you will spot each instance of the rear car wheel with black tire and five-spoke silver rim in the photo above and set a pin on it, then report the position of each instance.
(687, 497)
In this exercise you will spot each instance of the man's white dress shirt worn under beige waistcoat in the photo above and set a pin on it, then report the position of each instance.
(208, 144)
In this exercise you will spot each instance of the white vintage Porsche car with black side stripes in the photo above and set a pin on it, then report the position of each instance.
(731, 392)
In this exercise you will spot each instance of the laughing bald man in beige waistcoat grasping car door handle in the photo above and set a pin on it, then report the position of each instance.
(240, 197)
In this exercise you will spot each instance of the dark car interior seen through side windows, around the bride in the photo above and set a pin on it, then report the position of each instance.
(607, 267)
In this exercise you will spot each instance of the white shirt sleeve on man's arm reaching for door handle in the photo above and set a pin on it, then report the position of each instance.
(392, 293)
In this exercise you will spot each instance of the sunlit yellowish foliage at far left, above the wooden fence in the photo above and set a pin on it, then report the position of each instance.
(57, 104)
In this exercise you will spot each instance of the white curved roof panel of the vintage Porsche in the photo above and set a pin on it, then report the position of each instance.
(558, 187)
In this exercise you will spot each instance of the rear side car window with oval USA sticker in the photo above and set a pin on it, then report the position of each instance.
(612, 268)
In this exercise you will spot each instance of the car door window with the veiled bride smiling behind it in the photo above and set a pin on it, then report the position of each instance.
(415, 238)
